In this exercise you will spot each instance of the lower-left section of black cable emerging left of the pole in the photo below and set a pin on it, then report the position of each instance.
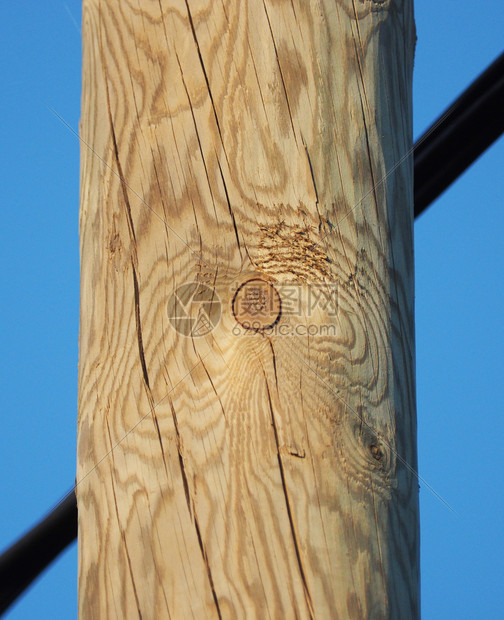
(34, 551)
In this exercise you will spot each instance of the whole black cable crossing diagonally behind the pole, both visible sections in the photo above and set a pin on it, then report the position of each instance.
(460, 135)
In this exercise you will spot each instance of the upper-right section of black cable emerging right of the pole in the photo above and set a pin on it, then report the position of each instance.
(460, 135)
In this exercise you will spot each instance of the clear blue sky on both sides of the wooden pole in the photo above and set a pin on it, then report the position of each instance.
(459, 300)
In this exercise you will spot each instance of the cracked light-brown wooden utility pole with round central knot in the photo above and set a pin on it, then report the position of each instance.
(246, 433)
